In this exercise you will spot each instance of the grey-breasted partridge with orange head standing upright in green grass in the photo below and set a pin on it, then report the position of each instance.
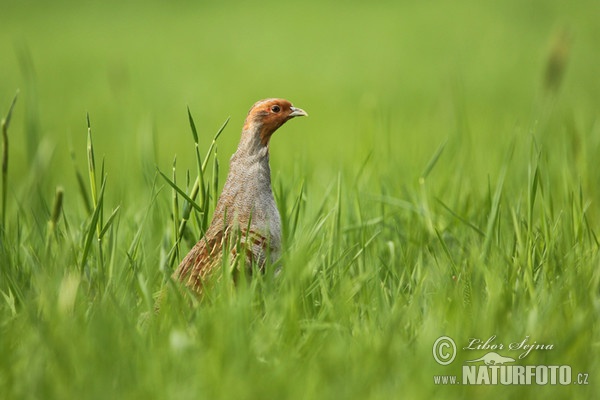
(246, 223)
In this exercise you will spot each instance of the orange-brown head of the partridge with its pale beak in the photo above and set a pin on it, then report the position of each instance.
(268, 115)
